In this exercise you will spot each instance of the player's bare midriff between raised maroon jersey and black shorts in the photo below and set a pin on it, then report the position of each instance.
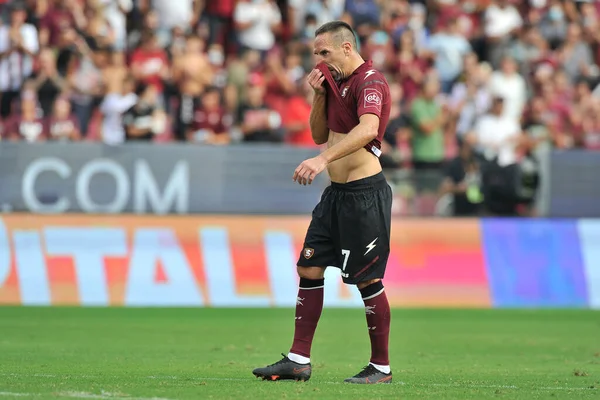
(358, 165)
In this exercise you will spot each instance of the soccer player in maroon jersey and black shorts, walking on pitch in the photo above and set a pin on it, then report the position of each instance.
(350, 226)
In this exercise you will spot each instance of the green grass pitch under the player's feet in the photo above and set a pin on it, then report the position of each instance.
(118, 353)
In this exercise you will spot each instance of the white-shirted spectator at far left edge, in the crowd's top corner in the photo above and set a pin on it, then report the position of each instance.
(18, 45)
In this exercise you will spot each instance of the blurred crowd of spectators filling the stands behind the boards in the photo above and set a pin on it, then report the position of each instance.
(506, 76)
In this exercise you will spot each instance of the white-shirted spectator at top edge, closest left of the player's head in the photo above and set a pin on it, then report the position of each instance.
(256, 22)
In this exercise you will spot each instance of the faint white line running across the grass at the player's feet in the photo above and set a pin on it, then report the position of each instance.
(399, 383)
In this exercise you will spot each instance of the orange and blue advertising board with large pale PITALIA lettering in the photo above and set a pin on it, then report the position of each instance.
(249, 261)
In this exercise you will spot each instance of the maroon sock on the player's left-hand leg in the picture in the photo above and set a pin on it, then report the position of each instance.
(309, 305)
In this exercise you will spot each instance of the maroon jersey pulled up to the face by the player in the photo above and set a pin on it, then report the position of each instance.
(365, 91)
